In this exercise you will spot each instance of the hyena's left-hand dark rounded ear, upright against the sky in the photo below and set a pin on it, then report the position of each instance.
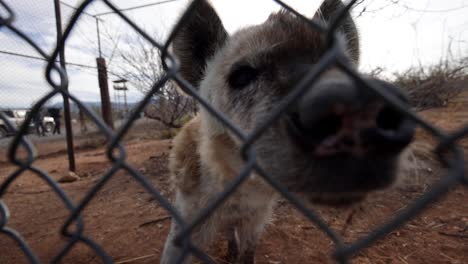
(197, 41)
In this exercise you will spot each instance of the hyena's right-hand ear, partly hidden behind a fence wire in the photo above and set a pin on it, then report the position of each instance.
(328, 11)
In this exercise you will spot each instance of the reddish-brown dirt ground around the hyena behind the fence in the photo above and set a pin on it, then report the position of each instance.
(131, 226)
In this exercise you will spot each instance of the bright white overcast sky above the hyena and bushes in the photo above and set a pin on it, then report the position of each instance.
(395, 37)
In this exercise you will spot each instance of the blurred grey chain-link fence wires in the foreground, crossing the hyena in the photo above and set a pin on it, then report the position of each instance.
(73, 230)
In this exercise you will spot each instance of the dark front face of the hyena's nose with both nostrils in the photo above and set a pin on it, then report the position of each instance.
(347, 130)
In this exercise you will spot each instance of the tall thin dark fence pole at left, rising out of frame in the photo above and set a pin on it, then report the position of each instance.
(66, 103)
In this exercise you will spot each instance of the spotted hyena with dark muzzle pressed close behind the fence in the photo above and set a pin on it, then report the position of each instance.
(334, 145)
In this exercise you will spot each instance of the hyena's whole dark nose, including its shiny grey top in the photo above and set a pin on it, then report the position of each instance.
(338, 117)
